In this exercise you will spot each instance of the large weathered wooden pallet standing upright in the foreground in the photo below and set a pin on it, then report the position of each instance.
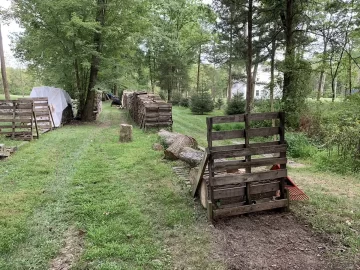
(232, 192)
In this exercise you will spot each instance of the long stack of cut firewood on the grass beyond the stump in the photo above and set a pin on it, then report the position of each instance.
(148, 110)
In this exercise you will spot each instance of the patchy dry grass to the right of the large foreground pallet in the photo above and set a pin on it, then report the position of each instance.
(334, 205)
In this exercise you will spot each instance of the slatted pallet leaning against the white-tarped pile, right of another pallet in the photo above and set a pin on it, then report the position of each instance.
(43, 113)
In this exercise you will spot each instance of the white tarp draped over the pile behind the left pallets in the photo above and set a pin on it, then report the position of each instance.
(58, 100)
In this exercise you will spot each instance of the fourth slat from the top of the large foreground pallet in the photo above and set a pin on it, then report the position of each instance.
(239, 164)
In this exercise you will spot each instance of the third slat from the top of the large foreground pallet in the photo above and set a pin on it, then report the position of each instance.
(252, 150)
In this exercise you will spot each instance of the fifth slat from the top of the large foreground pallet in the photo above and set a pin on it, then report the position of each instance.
(232, 179)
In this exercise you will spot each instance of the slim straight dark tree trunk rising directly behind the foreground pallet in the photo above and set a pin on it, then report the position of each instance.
(249, 59)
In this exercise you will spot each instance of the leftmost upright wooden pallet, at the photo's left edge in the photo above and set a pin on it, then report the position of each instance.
(17, 118)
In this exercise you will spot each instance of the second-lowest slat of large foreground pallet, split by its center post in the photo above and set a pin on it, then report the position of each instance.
(240, 191)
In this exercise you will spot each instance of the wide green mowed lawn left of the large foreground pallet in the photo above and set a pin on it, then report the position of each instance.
(134, 211)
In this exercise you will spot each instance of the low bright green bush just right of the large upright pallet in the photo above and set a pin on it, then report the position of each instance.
(299, 146)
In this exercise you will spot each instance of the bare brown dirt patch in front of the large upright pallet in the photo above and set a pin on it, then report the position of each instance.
(273, 241)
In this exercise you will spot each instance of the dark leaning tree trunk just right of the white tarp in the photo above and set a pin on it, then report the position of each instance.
(88, 114)
